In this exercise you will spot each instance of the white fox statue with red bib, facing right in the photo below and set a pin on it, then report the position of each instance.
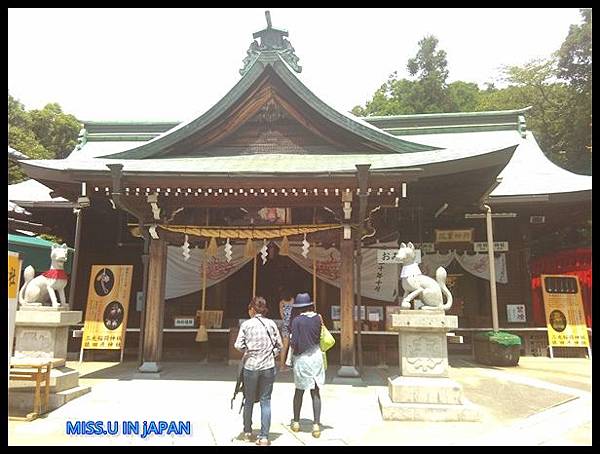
(38, 290)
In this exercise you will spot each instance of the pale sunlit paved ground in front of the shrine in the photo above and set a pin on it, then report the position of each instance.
(542, 402)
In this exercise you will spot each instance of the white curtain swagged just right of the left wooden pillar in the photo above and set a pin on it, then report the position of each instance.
(184, 277)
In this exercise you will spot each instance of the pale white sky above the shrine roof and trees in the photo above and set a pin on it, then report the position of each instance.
(174, 64)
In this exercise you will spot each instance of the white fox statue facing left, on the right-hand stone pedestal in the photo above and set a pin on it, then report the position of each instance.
(415, 284)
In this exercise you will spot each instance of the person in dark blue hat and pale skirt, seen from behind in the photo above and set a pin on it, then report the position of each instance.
(309, 370)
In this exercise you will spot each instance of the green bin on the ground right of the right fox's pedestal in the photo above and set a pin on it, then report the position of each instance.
(497, 348)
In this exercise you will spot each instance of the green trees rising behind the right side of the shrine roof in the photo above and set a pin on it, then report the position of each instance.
(557, 88)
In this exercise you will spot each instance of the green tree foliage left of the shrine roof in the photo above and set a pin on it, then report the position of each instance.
(40, 134)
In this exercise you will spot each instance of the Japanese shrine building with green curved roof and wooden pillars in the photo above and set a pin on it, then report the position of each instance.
(271, 163)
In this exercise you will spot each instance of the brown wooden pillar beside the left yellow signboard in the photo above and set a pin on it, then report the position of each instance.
(155, 303)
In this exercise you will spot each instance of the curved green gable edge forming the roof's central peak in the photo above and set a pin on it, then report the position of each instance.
(371, 133)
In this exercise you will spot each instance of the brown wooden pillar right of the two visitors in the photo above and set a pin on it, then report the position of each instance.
(347, 354)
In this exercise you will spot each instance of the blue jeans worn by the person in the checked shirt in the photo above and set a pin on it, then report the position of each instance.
(258, 383)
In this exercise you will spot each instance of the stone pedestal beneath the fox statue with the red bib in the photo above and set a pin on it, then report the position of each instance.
(41, 336)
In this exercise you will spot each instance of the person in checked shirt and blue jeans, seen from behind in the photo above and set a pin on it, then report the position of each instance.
(260, 341)
